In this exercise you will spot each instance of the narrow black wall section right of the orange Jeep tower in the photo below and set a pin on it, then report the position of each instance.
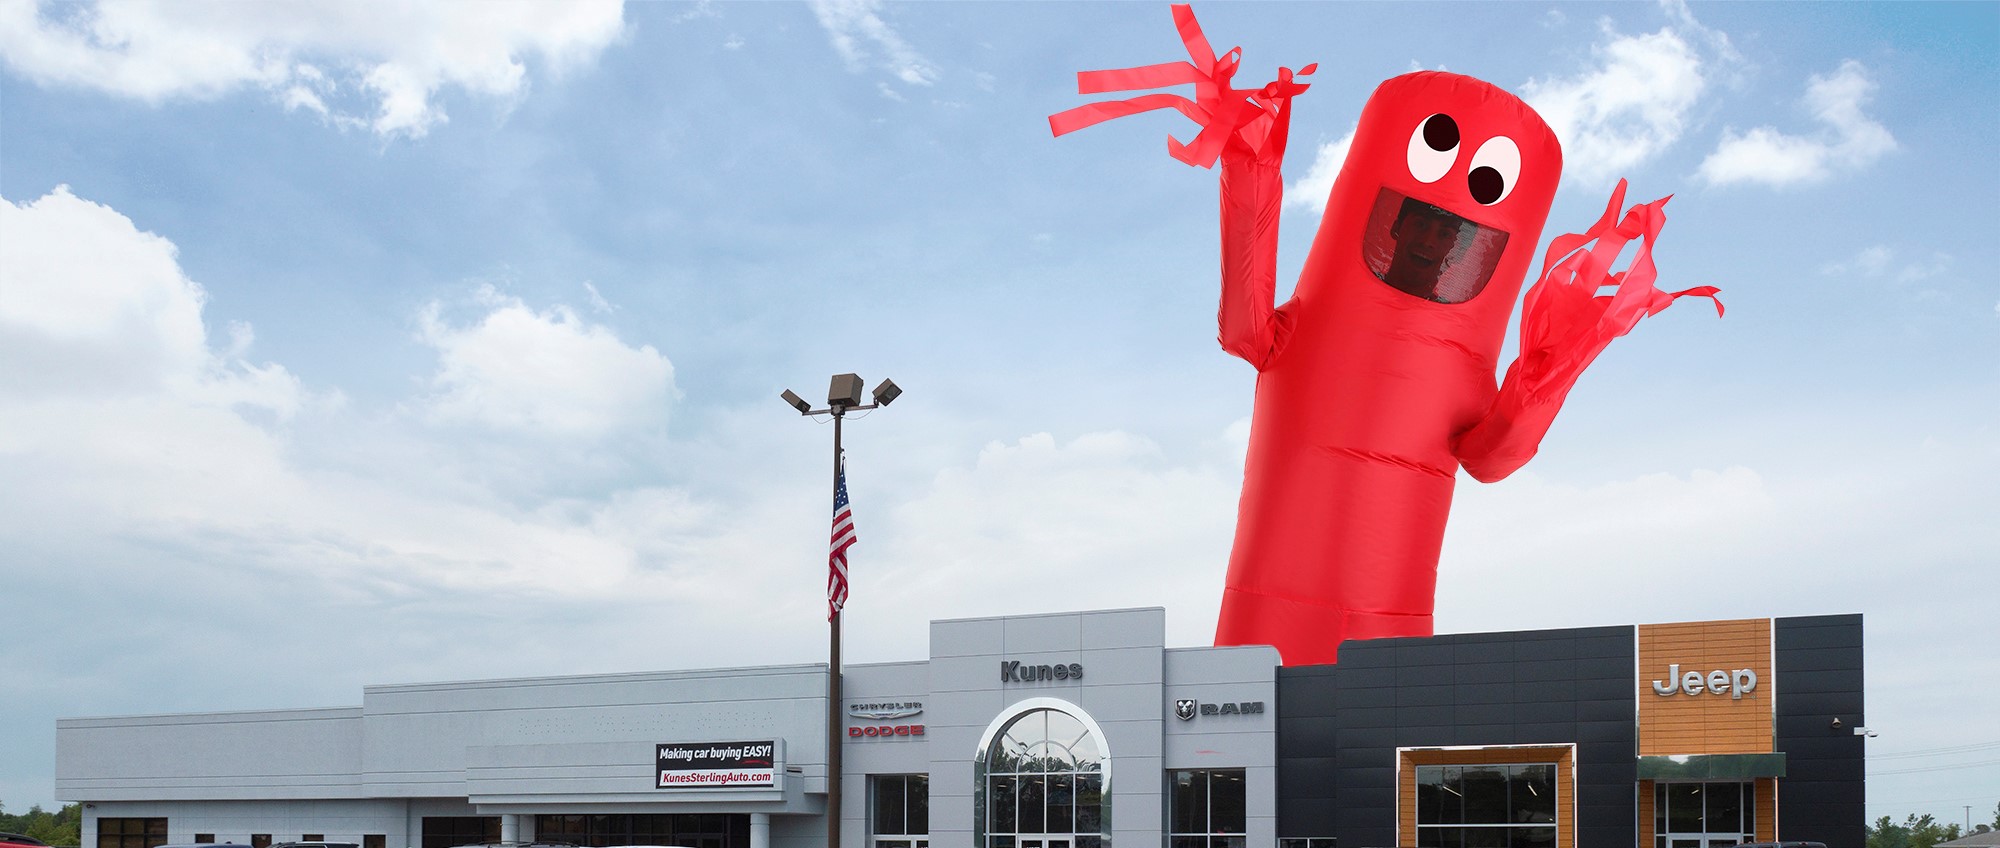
(1819, 669)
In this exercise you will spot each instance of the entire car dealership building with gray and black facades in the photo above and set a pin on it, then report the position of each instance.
(1053, 731)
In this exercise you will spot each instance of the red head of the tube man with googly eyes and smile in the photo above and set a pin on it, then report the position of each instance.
(1447, 187)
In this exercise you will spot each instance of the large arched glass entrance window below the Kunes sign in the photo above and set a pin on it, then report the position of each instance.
(1043, 781)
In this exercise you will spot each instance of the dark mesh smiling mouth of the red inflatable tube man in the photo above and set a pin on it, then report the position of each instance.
(1431, 253)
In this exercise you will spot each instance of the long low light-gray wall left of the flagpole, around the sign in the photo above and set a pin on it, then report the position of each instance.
(545, 745)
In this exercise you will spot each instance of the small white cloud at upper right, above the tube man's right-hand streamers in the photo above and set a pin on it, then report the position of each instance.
(1849, 139)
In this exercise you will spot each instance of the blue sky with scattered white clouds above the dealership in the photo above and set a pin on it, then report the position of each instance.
(349, 343)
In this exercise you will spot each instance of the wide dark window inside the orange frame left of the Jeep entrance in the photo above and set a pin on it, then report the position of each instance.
(1487, 807)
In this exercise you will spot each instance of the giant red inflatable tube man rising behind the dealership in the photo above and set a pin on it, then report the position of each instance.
(1377, 379)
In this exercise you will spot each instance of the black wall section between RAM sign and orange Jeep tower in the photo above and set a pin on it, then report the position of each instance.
(1541, 687)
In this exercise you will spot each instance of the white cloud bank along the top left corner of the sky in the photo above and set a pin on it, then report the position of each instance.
(391, 57)
